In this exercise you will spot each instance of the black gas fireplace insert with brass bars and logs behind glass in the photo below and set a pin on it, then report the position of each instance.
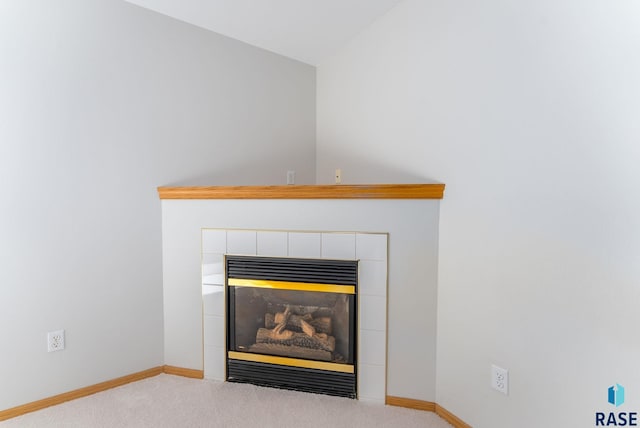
(291, 323)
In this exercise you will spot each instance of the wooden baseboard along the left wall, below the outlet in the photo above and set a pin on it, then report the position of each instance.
(78, 393)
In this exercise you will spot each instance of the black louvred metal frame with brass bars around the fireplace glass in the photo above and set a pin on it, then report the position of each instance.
(279, 373)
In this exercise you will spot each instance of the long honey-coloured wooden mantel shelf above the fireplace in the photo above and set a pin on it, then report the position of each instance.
(337, 191)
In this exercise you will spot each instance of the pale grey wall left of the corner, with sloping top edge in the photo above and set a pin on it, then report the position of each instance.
(100, 102)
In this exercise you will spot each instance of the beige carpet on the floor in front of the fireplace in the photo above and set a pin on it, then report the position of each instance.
(173, 401)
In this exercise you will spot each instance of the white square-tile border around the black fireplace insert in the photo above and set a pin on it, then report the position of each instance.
(369, 248)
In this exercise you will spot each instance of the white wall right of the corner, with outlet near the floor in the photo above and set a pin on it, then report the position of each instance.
(530, 113)
